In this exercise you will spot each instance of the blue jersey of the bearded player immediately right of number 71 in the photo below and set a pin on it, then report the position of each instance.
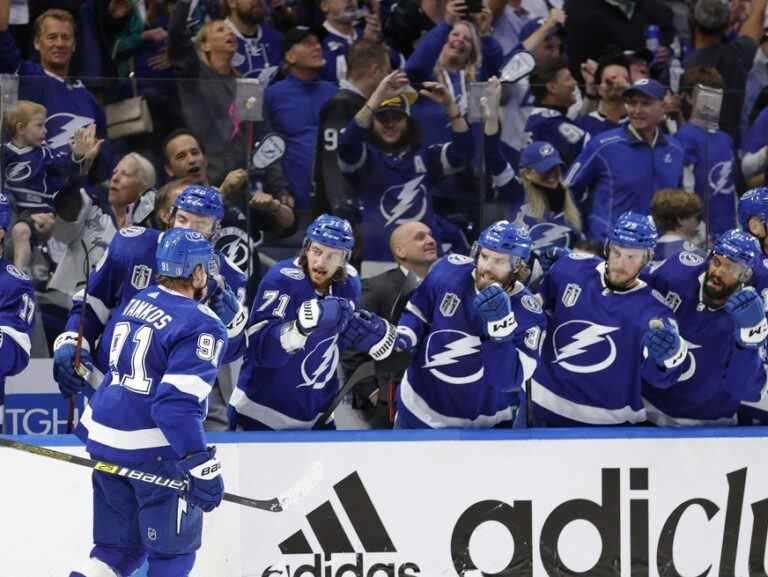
(458, 377)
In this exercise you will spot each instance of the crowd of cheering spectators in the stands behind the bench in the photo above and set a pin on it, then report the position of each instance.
(390, 112)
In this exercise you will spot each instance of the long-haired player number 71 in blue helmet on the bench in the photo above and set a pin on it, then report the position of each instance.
(302, 313)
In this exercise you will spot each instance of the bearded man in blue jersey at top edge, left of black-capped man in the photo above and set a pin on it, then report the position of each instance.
(259, 45)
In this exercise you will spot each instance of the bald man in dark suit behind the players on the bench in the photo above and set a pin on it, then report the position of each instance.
(386, 294)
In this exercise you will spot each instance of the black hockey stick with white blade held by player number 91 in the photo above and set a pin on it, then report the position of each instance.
(273, 505)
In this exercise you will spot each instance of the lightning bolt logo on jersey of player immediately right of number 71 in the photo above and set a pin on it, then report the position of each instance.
(453, 357)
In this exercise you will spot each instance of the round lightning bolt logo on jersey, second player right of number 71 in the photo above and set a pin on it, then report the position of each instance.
(584, 347)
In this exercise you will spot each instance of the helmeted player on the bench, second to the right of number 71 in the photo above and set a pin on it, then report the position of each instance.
(600, 345)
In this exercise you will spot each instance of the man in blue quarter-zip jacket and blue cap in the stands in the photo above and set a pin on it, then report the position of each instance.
(620, 169)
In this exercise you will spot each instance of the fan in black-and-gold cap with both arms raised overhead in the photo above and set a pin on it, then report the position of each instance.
(392, 173)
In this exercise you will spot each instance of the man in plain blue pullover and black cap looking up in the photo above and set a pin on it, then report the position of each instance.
(293, 106)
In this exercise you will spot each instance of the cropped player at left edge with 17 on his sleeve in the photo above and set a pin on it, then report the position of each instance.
(17, 312)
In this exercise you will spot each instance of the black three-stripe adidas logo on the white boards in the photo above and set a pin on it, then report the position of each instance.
(334, 540)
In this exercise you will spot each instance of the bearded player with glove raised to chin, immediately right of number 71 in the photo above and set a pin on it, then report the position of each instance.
(475, 331)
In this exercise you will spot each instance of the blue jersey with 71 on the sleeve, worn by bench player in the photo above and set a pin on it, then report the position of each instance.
(284, 385)
